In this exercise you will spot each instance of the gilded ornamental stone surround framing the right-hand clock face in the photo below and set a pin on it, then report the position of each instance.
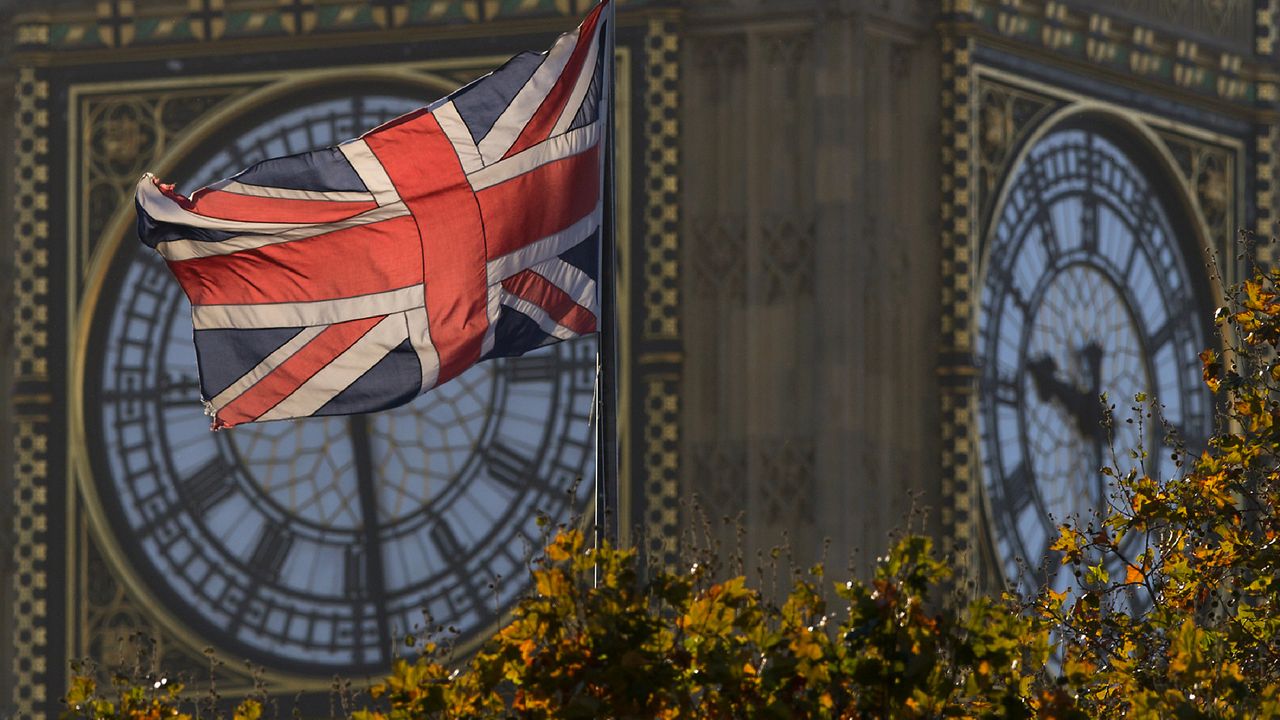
(993, 116)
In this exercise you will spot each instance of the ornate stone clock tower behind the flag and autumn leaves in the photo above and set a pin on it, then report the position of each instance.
(877, 262)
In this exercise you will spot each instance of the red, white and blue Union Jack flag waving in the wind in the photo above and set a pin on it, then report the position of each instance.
(355, 279)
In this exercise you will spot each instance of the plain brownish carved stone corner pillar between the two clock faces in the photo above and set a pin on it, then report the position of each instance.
(811, 151)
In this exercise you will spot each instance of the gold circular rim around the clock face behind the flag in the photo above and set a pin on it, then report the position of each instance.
(104, 277)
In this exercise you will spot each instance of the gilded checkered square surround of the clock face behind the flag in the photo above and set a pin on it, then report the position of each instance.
(140, 122)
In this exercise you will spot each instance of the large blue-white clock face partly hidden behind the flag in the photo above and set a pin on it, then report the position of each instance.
(312, 546)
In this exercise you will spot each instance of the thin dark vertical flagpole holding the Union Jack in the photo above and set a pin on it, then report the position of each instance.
(607, 440)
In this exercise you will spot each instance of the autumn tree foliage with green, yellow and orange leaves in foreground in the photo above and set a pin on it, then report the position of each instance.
(1174, 610)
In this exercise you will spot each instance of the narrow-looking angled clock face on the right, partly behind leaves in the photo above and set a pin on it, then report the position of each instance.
(1087, 291)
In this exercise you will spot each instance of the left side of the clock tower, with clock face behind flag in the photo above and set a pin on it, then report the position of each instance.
(312, 548)
